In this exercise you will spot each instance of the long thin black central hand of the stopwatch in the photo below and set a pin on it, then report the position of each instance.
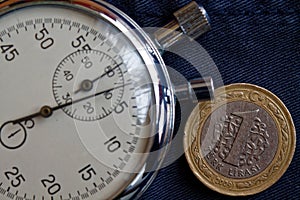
(47, 111)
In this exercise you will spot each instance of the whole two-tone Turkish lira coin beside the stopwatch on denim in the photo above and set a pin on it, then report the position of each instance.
(242, 142)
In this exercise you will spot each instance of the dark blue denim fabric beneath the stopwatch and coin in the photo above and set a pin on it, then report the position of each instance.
(251, 41)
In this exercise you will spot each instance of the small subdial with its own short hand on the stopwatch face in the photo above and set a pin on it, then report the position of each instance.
(92, 76)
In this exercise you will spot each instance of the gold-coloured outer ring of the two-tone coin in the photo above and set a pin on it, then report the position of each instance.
(284, 153)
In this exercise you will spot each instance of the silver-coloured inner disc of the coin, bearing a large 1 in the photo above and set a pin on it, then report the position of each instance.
(239, 139)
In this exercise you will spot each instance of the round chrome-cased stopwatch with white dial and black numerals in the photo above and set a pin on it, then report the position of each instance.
(87, 106)
